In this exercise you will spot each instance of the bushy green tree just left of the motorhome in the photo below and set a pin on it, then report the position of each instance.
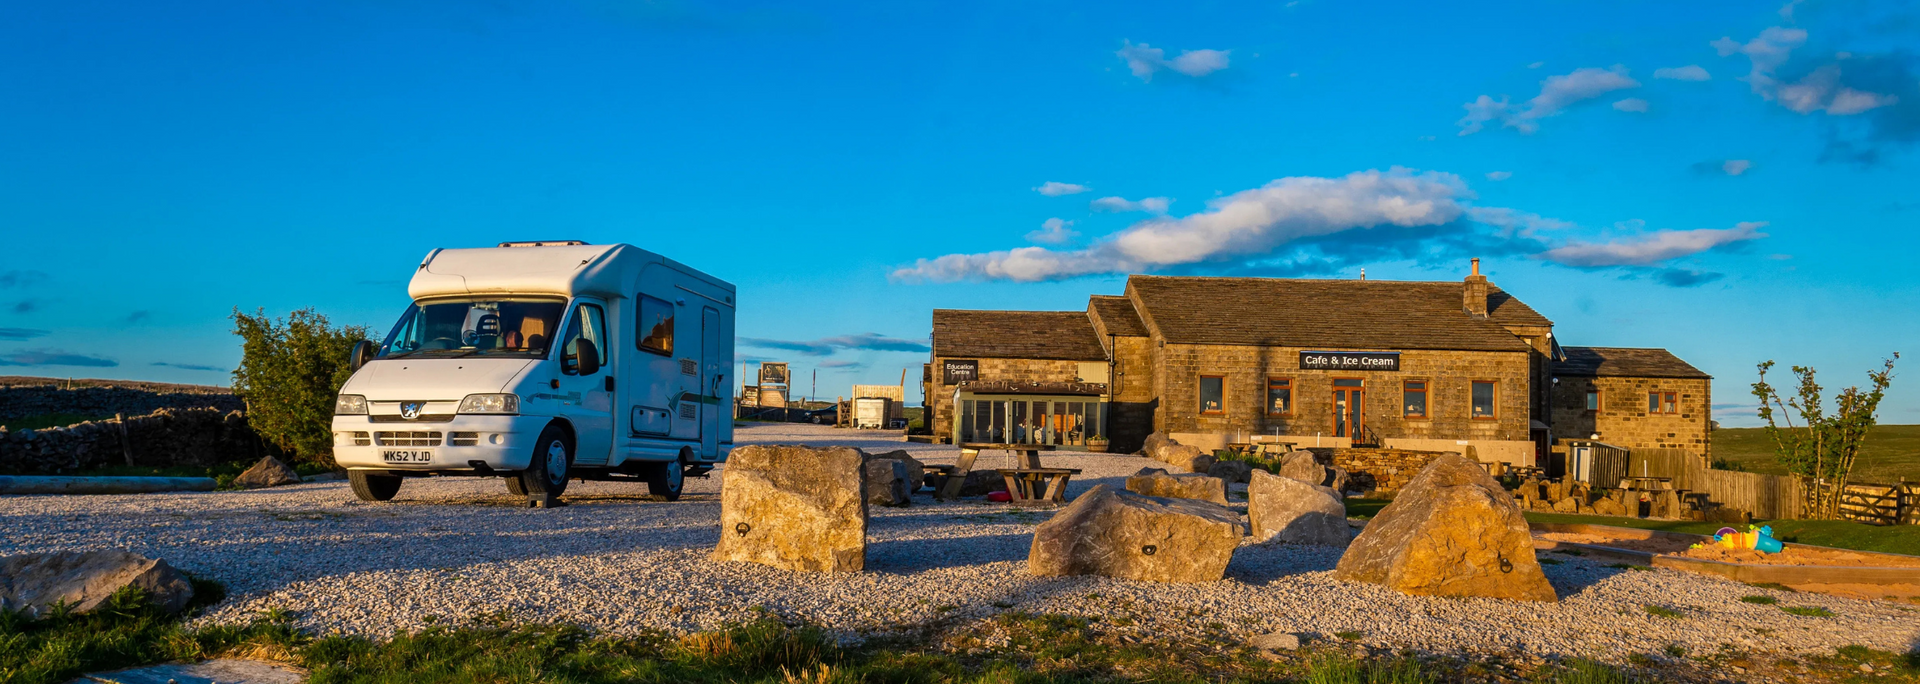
(291, 370)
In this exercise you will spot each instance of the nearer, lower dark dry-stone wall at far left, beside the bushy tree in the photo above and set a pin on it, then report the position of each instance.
(160, 439)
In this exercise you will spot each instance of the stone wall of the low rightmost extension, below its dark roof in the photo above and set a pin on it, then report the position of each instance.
(1623, 416)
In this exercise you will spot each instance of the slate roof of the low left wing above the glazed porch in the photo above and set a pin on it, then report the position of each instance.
(1017, 335)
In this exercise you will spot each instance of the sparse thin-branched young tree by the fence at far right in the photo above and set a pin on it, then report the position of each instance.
(1825, 447)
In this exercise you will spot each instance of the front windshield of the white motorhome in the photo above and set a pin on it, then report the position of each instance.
(475, 328)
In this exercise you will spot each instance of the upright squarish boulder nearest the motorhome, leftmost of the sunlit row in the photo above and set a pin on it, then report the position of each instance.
(796, 508)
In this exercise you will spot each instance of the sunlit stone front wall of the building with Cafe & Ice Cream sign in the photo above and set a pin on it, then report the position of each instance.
(1178, 370)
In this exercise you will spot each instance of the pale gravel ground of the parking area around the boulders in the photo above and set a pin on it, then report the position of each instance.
(454, 550)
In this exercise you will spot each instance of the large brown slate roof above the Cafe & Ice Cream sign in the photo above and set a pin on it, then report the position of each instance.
(1330, 314)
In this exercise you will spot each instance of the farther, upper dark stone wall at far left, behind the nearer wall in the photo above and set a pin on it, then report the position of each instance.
(39, 397)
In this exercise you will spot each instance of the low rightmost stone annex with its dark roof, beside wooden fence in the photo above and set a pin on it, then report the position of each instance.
(1635, 399)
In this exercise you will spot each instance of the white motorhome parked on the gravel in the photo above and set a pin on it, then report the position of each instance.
(544, 362)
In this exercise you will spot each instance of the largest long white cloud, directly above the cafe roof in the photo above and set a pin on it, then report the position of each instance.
(1243, 226)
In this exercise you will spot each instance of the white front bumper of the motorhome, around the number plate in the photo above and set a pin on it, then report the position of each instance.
(502, 443)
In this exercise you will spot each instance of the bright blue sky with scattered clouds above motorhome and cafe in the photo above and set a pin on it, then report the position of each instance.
(1735, 182)
